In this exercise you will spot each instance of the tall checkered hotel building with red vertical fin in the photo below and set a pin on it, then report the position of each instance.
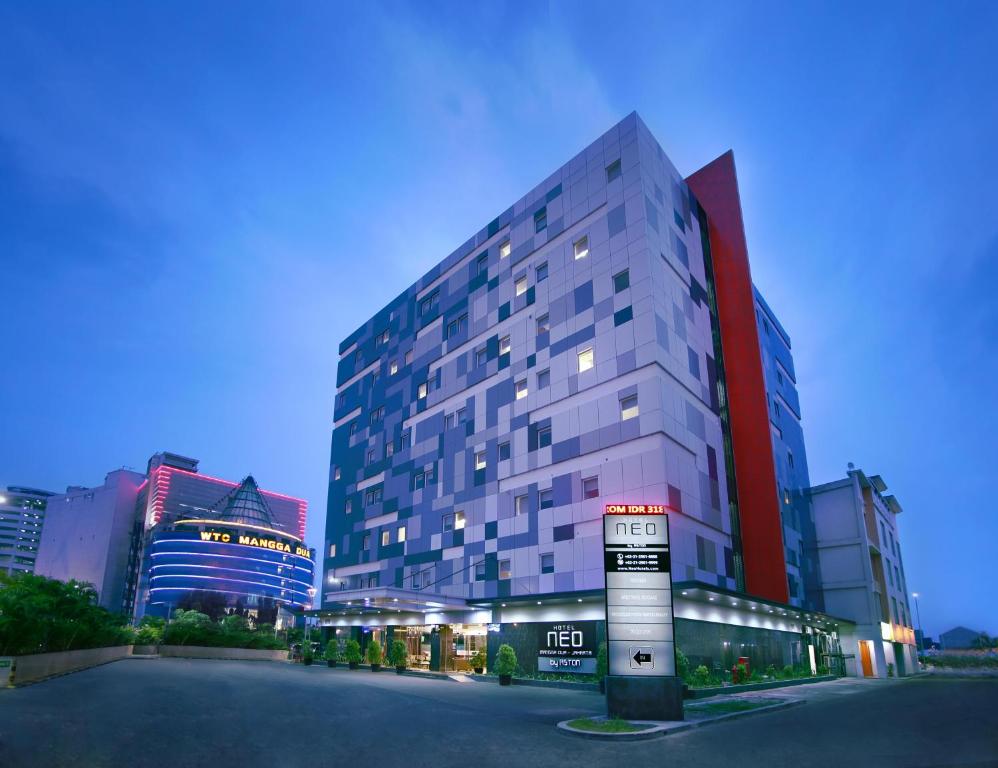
(599, 342)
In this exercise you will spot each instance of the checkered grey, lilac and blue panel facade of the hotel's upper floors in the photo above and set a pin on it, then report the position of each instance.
(559, 360)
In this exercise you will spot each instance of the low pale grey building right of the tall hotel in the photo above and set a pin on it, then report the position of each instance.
(862, 572)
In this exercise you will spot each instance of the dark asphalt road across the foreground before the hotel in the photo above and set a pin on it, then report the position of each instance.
(177, 713)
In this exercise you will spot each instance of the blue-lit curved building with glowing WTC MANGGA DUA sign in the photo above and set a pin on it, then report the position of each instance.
(231, 561)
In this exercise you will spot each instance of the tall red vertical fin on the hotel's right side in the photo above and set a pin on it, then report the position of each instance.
(716, 187)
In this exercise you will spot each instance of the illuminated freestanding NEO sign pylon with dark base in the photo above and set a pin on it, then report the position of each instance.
(641, 647)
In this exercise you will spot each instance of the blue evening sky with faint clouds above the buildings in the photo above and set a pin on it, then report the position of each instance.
(199, 201)
